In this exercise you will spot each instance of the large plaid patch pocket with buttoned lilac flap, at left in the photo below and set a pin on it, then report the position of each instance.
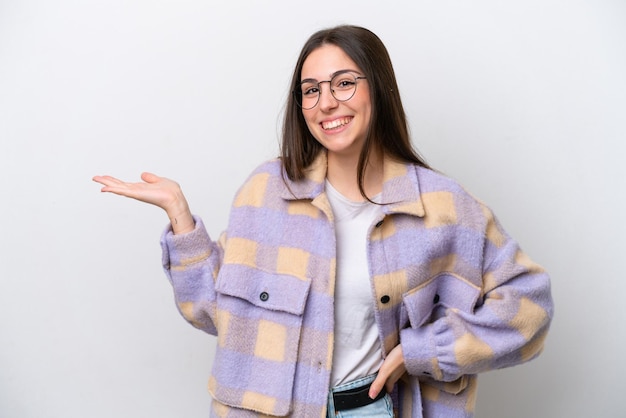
(259, 319)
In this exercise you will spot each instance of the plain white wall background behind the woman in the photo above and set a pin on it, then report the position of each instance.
(524, 102)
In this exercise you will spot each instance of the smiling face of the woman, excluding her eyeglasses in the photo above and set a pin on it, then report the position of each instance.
(341, 127)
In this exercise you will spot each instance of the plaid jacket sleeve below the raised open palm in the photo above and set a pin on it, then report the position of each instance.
(191, 262)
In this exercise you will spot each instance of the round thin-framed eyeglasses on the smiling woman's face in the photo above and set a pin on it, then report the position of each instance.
(342, 87)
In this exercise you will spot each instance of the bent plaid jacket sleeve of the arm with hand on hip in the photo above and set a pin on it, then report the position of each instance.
(505, 324)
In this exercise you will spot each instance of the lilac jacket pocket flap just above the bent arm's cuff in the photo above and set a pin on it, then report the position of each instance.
(429, 301)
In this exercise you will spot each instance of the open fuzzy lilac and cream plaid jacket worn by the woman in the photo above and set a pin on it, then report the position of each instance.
(447, 283)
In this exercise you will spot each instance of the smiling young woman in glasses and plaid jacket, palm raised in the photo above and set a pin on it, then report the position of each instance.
(352, 280)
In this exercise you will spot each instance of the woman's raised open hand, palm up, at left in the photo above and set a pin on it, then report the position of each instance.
(155, 190)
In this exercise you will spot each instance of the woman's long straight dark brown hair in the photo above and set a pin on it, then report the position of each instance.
(388, 130)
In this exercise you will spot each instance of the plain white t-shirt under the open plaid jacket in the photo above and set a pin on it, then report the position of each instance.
(357, 351)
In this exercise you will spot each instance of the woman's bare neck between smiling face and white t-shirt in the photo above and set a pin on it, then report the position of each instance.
(343, 175)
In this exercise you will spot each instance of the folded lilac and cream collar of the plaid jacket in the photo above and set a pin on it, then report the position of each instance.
(401, 192)
